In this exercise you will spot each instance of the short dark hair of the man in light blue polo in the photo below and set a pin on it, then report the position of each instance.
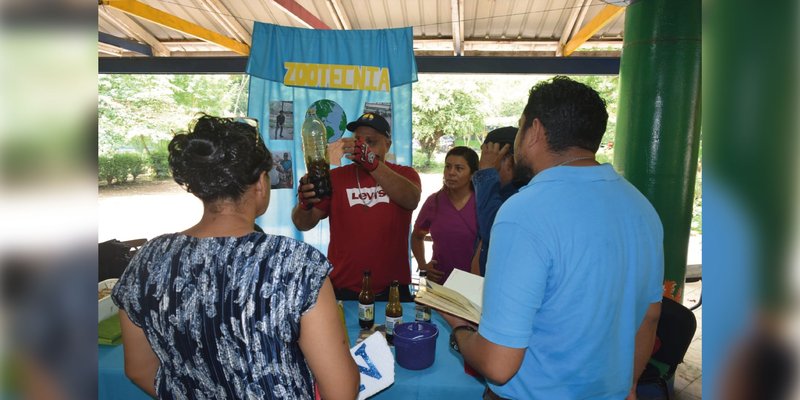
(573, 114)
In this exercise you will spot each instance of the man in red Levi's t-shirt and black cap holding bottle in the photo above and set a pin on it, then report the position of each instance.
(370, 210)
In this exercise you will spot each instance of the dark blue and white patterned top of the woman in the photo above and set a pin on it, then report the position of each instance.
(223, 314)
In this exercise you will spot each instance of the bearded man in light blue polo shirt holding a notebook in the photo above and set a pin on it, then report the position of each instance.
(574, 278)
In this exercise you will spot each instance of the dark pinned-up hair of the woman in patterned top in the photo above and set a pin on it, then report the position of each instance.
(218, 158)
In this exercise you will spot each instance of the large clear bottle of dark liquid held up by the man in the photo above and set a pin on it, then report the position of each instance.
(315, 149)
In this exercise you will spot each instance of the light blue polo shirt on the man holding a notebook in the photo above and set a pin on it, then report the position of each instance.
(576, 259)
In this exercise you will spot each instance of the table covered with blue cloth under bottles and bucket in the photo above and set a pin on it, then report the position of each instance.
(445, 379)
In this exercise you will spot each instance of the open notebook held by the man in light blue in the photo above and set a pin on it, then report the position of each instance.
(461, 295)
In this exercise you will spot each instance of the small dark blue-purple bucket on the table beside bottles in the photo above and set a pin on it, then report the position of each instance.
(415, 344)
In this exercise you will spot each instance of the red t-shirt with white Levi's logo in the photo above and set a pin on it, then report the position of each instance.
(368, 230)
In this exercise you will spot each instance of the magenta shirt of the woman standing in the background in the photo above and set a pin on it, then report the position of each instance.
(453, 231)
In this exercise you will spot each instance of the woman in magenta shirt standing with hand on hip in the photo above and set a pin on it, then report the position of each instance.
(449, 216)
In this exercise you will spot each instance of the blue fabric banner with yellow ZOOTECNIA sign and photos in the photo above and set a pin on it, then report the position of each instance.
(292, 68)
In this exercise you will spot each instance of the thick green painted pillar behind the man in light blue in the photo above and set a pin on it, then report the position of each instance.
(658, 120)
